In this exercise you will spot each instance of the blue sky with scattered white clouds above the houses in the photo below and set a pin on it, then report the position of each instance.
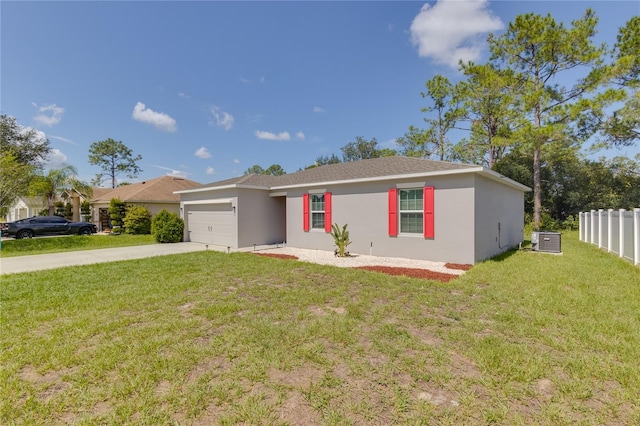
(205, 90)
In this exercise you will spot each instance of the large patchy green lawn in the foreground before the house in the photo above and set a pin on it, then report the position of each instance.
(212, 338)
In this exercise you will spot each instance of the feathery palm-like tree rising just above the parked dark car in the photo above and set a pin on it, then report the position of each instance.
(51, 184)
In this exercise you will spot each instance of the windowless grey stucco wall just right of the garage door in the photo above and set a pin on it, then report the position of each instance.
(261, 218)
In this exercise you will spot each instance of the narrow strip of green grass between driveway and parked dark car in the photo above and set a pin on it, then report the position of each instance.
(41, 245)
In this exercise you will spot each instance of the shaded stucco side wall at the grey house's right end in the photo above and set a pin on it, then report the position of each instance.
(499, 218)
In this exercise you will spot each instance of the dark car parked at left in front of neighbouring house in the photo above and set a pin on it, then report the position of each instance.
(46, 225)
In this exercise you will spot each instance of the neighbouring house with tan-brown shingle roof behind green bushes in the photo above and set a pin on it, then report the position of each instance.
(154, 194)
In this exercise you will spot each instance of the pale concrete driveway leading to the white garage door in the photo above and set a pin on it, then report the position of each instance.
(11, 265)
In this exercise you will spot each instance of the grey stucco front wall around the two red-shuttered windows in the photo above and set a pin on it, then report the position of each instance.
(364, 207)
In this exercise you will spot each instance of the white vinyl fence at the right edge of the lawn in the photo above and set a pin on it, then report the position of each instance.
(617, 231)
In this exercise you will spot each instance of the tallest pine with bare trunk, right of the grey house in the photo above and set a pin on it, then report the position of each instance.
(541, 51)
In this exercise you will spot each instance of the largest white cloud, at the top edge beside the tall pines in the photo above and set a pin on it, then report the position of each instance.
(451, 31)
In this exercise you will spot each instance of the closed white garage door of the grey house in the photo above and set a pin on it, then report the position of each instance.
(212, 224)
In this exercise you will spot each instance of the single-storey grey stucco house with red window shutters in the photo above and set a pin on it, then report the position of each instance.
(394, 206)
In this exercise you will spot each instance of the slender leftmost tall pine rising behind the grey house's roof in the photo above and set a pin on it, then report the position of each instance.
(445, 106)
